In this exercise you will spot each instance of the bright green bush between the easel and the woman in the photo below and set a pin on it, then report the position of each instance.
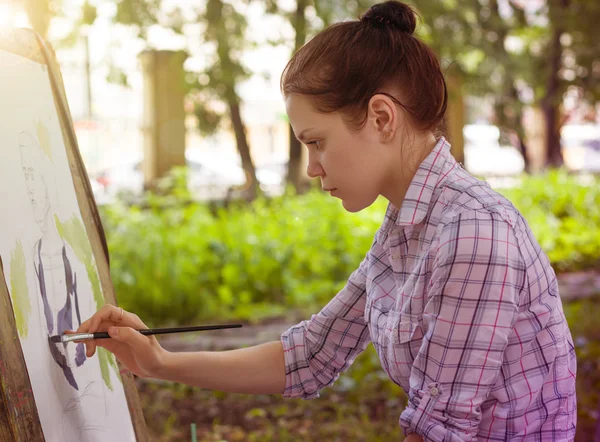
(186, 262)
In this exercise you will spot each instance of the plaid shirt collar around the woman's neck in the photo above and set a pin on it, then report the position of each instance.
(419, 193)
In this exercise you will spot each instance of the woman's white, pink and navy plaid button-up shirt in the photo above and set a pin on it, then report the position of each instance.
(463, 309)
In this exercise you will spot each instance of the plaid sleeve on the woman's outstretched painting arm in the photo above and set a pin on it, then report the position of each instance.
(318, 350)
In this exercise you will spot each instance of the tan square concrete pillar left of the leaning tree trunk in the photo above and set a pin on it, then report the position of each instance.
(163, 120)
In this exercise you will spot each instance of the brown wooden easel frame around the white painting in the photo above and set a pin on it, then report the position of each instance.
(19, 419)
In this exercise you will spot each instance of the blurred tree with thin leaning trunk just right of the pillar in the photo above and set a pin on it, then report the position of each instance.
(223, 28)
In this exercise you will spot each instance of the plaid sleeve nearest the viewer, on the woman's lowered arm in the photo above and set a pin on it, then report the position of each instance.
(471, 308)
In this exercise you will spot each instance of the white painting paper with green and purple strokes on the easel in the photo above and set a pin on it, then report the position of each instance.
(48, 268)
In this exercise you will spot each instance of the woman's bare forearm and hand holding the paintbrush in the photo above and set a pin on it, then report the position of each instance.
(258, 369)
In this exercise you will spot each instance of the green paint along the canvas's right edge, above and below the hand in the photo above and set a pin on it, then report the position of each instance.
(73, 232)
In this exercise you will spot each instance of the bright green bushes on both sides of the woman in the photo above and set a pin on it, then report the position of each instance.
(175, 262)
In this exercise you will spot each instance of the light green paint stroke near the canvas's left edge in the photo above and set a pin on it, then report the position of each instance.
(19, 291)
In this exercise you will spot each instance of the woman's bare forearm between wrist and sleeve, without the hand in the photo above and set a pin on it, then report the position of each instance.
(254, 370)
